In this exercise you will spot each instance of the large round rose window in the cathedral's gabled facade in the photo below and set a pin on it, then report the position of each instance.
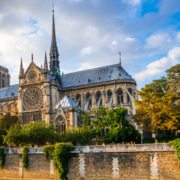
(33, 99)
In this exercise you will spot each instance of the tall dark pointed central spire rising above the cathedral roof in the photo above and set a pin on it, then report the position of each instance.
(54, 55)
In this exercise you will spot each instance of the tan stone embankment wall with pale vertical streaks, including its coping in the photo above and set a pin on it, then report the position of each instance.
(126, 162)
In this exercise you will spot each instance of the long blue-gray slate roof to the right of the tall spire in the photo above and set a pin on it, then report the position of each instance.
(96, 75)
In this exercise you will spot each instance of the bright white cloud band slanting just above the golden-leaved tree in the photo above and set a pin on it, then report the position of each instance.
(160, 66)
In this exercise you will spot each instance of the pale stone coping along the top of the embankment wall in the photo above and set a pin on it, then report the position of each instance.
(162, 147)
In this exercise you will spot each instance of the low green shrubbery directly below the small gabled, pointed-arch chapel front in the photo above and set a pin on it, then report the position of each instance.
(79, 135)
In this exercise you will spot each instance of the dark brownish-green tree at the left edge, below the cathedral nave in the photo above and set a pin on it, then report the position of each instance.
(6, 121)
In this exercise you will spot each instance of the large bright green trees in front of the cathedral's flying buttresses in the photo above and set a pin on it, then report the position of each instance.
(110, 125)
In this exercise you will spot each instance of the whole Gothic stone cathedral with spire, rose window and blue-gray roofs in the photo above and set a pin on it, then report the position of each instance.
(44, 94)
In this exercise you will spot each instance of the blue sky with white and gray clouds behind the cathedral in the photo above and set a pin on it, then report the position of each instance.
(91, 33)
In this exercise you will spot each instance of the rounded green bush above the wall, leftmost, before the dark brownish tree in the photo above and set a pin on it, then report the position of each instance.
(14, 135)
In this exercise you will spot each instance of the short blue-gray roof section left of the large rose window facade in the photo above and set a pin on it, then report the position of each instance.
(9, 92)
